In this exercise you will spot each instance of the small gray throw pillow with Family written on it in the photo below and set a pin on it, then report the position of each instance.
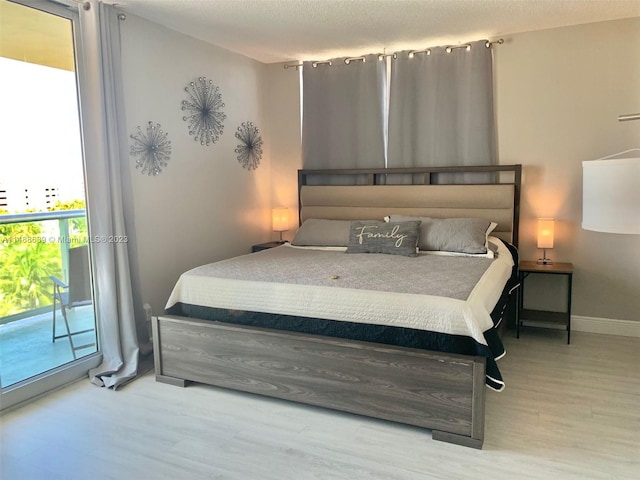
(396, 238)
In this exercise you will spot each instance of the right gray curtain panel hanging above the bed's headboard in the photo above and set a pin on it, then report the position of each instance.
(441, 109)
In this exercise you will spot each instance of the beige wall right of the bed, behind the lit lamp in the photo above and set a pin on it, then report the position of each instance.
(558, 95)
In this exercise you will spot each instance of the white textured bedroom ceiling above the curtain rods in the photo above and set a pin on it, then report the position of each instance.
(285, 30)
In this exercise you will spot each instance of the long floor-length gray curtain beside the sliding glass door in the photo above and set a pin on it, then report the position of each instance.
(108, 193)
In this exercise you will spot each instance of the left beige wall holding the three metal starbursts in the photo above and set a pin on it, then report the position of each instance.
(204, 206)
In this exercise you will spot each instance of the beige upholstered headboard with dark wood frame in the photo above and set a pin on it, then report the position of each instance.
(497, 202)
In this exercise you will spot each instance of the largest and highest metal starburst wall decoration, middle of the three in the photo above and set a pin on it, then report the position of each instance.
(204, 115)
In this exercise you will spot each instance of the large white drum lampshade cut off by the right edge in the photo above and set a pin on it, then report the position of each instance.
(611, 195)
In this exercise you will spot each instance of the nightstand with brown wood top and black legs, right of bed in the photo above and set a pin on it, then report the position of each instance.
(558, 318)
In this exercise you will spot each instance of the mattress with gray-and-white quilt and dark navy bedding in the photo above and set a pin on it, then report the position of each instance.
(429, 301)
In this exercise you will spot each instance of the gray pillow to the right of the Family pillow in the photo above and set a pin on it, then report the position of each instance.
(464, 235)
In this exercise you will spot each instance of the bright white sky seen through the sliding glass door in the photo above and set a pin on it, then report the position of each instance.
(40, 142)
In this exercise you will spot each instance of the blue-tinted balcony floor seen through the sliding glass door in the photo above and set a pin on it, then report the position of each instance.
(26, 348)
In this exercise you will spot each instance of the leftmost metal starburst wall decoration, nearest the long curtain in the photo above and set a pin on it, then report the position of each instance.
(152, 147)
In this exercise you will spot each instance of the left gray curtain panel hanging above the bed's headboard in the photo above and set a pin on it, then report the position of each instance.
(343, 114)
